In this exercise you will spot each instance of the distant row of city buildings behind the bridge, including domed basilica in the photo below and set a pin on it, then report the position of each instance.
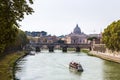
(75, 37)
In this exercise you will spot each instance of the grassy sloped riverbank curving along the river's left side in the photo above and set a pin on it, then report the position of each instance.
(7, 64)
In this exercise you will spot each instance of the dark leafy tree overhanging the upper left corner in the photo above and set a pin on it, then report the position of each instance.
(11, 12)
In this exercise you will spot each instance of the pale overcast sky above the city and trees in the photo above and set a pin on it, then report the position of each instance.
(59, 17)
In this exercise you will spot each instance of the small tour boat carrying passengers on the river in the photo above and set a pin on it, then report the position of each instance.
(74, 66)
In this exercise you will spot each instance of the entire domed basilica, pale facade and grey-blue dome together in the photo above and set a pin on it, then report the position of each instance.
(76, 37)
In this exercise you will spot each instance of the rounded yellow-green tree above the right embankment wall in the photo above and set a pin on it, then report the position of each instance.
(111, 36)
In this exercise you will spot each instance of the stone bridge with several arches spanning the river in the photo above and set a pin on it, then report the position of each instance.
(52, 46)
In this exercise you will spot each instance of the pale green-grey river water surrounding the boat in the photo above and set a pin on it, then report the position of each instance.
(55, 66)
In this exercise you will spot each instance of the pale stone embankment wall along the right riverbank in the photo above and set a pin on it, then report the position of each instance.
(99, 50)
